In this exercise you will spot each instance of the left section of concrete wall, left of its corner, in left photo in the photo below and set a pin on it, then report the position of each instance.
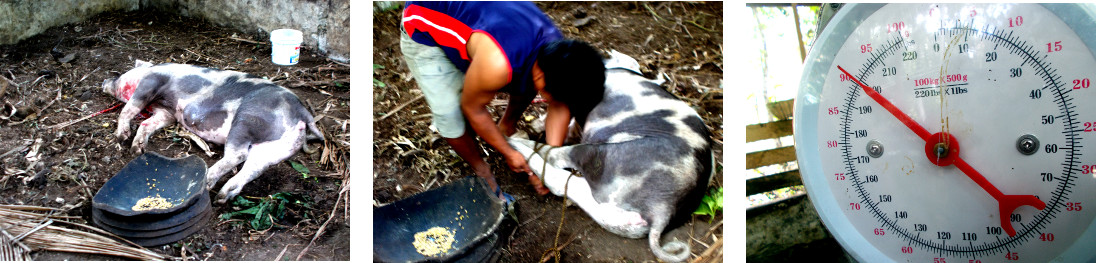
(22, 19)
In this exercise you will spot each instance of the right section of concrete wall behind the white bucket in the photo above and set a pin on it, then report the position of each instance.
(325, 24)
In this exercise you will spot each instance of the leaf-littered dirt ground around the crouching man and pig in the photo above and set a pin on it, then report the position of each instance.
(683, 40)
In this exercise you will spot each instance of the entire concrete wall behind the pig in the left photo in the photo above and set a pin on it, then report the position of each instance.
(326, 24)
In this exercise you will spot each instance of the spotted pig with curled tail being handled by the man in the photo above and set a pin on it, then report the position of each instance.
(645, 157)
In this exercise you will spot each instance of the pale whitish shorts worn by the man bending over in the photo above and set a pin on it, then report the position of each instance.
(441, 84)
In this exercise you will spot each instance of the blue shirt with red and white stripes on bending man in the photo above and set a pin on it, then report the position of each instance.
(520, 30)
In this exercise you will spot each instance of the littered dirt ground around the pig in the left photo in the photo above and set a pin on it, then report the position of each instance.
(55, 77)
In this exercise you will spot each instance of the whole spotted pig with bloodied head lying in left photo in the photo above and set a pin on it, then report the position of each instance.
(260, 123)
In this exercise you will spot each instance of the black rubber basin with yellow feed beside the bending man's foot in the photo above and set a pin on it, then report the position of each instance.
(475, 227)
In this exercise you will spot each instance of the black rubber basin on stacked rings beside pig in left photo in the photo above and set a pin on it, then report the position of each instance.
(179, 181)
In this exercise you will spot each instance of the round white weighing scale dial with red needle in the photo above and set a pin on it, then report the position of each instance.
(954, 133)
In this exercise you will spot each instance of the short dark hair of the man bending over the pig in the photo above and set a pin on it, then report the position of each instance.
(575, 74)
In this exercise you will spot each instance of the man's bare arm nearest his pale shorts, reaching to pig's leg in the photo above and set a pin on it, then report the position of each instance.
(487, 74)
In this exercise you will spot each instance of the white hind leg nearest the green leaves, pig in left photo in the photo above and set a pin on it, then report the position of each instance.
(262, 156)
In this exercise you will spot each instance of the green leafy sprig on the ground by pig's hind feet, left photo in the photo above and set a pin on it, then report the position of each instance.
(264, 212)
